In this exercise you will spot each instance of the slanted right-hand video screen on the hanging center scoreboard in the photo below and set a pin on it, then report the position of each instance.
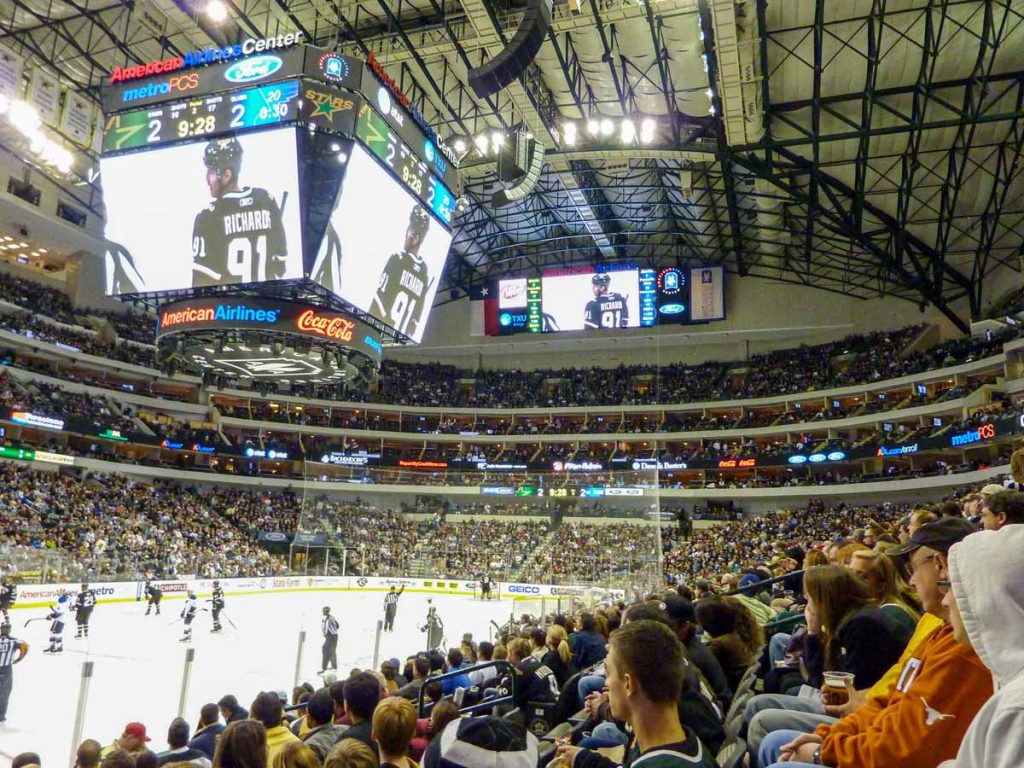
(383, 252)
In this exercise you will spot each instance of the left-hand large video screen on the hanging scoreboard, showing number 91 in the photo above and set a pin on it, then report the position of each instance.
(210, 214)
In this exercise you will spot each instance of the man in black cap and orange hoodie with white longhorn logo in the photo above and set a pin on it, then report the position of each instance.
(941, 690)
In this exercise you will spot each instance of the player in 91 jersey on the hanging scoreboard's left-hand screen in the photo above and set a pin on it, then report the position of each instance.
(240, 236)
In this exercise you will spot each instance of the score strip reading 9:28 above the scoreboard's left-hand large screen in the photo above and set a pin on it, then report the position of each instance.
(268, 105)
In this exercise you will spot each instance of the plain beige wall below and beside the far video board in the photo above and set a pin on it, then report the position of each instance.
(761, 317)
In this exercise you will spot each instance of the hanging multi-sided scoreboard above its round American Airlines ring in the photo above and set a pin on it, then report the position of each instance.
(326, 177)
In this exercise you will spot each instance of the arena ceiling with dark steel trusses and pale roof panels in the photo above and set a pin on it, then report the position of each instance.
(865, 147)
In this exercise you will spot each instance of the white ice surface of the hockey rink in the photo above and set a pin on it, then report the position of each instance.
(139, 660)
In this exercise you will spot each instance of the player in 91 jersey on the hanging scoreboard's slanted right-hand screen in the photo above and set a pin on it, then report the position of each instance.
(404, 283)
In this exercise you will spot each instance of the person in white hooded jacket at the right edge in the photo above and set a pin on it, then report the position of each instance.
(987, 607)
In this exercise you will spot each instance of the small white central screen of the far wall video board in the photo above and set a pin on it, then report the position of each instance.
(590, 302)
